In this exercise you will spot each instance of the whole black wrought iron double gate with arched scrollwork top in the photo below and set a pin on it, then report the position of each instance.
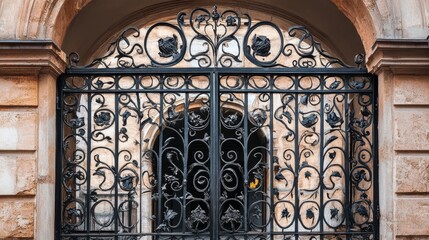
(267, 137)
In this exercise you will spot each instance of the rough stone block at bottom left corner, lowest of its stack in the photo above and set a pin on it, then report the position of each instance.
(16, 218)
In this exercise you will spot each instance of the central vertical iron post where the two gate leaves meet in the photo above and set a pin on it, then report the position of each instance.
(214, 165)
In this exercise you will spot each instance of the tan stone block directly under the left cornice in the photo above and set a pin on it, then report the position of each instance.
(22, 91)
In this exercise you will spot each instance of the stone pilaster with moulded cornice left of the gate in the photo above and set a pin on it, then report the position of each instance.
(28, 72)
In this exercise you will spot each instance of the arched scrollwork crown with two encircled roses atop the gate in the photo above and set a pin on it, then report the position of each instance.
(215, 39)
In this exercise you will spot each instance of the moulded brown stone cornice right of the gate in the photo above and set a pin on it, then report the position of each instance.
(401, 56)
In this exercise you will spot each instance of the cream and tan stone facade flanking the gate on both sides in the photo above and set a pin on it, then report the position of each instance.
(27, 109)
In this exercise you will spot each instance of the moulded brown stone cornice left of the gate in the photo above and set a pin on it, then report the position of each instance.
(31, 56)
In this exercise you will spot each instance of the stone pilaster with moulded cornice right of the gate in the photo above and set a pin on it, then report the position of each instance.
(402, 67)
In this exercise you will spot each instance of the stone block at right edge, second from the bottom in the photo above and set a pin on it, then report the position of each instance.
(412, 174)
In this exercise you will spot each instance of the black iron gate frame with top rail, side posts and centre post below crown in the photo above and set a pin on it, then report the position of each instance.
(214, 96)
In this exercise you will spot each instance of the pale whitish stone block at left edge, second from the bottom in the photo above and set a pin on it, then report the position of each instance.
(12, 168)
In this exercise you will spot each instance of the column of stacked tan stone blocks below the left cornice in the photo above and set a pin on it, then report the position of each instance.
(18, 142)
